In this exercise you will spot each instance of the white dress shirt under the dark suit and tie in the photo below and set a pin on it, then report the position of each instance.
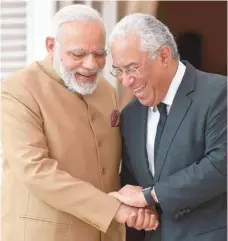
(153, 114)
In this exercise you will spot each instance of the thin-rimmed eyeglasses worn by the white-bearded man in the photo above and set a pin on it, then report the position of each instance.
(80, 54)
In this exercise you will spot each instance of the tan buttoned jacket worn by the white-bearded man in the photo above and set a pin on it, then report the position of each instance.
(61, 157)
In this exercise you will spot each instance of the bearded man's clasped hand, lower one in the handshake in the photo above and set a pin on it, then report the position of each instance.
(143, 218)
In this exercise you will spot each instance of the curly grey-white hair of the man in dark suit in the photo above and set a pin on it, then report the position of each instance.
(153, 33)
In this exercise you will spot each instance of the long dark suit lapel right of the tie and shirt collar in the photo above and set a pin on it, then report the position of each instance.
(179, 109)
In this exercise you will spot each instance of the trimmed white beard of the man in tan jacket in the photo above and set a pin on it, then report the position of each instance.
(69, 79)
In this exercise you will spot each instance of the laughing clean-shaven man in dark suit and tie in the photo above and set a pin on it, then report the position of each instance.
(173, 133)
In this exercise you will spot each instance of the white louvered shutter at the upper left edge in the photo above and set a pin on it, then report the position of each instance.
(13, 36)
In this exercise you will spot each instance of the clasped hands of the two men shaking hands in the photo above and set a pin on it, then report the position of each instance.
(134, 210)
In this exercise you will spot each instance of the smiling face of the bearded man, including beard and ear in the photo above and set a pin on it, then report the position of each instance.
(77, 60)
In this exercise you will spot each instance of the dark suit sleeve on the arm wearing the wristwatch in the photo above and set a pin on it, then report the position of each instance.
(205, 179)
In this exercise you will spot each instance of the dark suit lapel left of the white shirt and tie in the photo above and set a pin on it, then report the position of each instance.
(145, 177)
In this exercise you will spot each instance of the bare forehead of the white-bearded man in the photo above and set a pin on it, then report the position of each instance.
(86, 35)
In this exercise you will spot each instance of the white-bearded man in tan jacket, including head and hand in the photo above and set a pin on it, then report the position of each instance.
(61, 142)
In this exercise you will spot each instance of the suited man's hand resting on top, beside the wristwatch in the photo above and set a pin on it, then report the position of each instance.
(131, 195)
